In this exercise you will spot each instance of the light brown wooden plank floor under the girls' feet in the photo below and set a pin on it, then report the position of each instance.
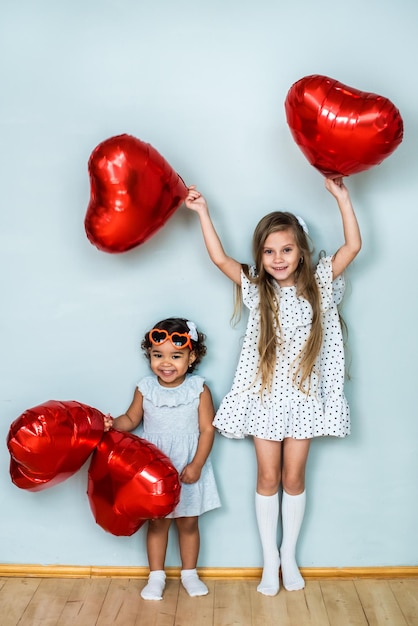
(115, 601)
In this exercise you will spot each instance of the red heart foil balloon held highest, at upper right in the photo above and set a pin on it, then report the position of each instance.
(341, 130)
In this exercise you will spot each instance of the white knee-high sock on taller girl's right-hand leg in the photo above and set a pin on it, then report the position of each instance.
(293, 510)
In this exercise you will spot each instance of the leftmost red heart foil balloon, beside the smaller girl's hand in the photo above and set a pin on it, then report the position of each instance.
(51, 441)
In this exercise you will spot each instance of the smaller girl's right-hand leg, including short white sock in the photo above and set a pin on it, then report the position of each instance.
(189, 542)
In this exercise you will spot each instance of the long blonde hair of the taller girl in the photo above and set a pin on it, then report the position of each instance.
(269, 339)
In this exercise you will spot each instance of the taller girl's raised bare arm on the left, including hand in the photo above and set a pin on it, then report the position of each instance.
(229, 266)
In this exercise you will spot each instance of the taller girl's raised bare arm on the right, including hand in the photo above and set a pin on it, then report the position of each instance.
(352, 238)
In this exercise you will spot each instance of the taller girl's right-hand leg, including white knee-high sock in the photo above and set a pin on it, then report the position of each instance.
(295, 456)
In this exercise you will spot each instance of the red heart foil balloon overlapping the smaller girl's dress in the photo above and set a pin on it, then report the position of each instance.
(130, 481)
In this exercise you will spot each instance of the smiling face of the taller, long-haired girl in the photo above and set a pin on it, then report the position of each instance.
(281, 256)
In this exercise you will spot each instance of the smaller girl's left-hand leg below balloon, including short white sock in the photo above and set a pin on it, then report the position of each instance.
(157, 538)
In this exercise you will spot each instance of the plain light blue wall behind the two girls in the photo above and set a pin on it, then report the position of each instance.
(205, 84)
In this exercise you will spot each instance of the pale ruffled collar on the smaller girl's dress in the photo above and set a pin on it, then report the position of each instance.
(185, 393)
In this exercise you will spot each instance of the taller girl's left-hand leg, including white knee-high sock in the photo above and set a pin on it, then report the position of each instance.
(267, 510)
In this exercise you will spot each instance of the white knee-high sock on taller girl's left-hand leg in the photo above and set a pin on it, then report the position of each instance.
(267, 513)
